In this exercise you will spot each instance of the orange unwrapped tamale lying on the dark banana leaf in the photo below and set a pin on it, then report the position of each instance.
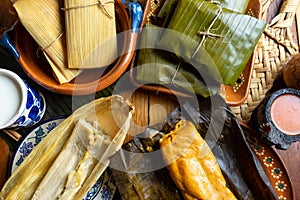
(192, 165)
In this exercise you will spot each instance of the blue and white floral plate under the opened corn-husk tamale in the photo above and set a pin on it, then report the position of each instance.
(104, 188)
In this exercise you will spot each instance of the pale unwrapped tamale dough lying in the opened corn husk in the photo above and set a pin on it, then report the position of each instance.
(83, 150)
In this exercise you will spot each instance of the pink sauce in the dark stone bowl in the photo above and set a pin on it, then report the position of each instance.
(285, 113)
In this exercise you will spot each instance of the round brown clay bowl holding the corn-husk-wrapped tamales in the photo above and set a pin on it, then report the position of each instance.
(90, 80)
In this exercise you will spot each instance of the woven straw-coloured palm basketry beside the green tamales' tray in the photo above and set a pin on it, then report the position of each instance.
(276, 46)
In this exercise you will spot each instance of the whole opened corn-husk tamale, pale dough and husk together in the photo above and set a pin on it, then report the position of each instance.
(110, 115)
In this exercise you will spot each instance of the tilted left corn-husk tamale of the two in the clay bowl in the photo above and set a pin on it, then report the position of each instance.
(42, 19)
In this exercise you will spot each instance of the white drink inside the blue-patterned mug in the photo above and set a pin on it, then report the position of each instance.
(10, 98)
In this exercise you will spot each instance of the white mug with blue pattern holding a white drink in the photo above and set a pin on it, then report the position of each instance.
(20, 104)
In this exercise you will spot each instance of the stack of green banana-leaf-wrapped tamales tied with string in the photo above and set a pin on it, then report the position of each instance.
(215, 38)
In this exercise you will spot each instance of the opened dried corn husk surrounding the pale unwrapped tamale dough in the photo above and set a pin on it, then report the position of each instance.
(112, 115)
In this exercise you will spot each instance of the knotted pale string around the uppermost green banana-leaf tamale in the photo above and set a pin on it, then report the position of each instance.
(207, 33)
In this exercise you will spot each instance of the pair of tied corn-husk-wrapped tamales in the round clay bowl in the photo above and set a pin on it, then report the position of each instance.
(85, 39)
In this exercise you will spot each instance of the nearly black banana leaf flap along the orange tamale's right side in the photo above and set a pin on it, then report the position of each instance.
(224, 135)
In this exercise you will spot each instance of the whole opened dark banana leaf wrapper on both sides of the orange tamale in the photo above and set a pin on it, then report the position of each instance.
(221, 130)
